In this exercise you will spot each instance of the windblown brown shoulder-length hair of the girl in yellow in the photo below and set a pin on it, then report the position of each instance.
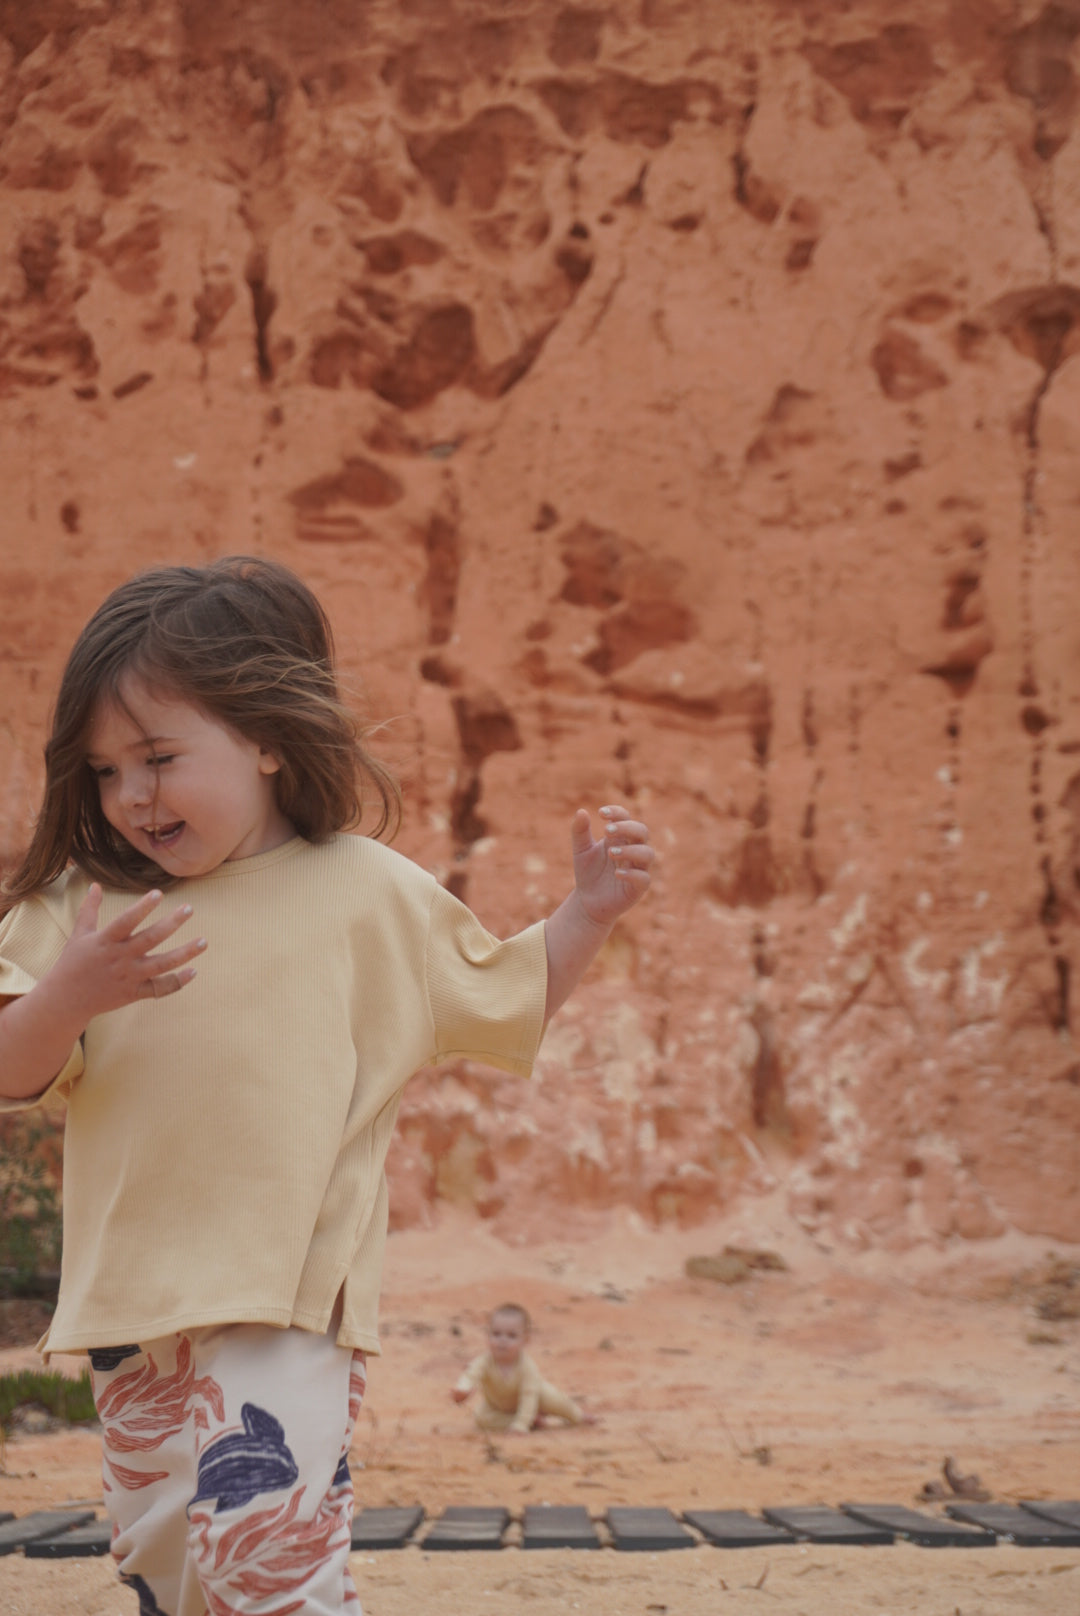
(248, 644)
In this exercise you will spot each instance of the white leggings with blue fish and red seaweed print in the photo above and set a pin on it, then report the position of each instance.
(226, 1470)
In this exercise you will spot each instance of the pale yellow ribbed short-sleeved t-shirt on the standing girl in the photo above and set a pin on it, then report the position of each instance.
(226, 1147)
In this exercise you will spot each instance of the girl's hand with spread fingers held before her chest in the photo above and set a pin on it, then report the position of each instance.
(109, 969)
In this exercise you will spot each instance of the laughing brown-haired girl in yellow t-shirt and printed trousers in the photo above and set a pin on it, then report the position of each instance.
(226, 1205)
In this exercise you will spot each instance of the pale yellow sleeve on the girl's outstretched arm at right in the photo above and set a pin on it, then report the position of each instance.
(487, 996)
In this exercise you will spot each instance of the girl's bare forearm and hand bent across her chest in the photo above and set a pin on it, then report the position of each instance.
(98, 970)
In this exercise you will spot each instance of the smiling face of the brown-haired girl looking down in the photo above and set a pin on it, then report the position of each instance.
(180, 786)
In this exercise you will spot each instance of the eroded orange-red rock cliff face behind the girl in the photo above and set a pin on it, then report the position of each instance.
(675, 403)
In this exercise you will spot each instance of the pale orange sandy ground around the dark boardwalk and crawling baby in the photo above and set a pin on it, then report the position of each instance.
(846, 1378)
